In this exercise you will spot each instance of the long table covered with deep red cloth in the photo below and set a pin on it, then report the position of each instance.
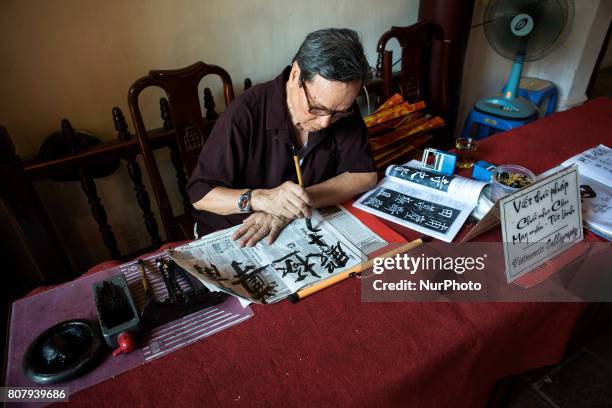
(331, 349)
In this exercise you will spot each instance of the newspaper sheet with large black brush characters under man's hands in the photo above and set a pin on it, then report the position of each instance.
(298, 258)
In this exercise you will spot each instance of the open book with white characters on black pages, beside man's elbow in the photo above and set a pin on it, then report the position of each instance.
(428, 202)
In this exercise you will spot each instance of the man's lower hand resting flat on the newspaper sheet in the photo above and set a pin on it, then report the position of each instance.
(259, 225)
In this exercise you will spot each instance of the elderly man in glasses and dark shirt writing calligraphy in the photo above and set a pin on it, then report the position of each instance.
(246, 172)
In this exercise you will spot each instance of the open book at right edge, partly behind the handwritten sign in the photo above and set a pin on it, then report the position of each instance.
(595, 169)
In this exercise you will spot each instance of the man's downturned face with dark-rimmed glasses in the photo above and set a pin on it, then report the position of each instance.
(319, 102)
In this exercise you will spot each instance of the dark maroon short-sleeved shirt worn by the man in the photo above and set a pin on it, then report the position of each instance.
(250, 147)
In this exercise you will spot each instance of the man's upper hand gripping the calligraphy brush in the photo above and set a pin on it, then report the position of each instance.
(288, 200)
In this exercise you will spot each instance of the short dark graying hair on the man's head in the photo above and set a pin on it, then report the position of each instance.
(333, 53)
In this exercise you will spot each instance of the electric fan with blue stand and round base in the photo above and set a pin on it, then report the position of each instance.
(522, 30)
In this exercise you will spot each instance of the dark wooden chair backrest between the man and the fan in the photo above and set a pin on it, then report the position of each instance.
(424, 65)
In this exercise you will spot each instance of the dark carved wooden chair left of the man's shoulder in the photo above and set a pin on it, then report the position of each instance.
(181, 87)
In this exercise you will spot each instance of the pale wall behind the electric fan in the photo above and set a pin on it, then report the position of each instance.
(569, 66)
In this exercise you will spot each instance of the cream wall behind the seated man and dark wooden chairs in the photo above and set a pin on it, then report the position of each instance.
(77, 59)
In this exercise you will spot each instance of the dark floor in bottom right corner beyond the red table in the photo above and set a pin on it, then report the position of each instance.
(584, 379)
